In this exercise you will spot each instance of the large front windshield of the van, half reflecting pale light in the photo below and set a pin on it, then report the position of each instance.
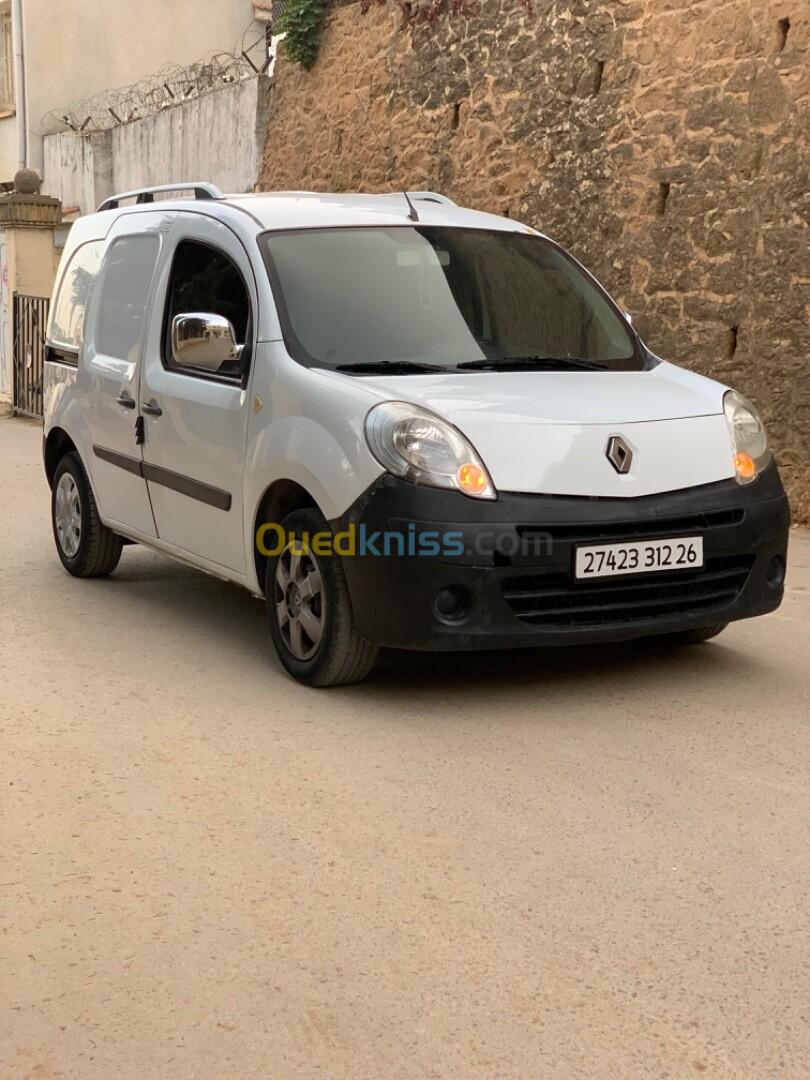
(440, 298)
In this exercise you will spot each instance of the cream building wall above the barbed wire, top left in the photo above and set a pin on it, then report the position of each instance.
(76, 49)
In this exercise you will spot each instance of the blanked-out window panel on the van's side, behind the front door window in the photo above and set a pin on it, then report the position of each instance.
(128, 276)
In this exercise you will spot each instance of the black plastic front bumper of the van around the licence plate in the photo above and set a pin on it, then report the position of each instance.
(515, 580)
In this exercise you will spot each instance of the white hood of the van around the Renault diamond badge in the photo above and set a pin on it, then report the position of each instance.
(549, 433)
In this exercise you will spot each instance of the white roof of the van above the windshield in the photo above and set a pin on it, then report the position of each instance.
(313, 210)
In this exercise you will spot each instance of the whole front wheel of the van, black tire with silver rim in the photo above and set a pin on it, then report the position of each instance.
(310, 593)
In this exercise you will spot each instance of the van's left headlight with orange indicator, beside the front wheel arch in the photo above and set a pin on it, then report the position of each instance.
(413, 443)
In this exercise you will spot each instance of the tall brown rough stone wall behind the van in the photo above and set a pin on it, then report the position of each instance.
(665, 142)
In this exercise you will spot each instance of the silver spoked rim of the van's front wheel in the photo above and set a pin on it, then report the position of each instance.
(301, 607)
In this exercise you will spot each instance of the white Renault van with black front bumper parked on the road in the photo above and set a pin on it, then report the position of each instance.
(402, 423)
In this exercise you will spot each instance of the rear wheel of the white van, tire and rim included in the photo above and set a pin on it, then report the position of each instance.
(87, 548)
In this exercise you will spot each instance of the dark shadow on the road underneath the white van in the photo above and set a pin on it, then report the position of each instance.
(215, 613)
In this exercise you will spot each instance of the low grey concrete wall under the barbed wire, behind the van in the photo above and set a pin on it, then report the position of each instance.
(217, 138)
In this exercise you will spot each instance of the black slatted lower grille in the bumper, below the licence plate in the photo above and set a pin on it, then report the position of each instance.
(558, 600)
